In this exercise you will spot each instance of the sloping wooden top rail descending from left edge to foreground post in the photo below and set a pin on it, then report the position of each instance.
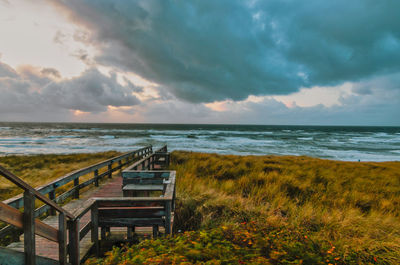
(25, 186)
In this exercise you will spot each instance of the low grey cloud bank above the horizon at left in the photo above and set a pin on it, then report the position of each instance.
(32, 91)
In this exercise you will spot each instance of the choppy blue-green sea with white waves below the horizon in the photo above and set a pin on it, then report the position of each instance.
(329, 142)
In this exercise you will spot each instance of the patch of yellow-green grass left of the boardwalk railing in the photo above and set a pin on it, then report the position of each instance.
(38, 170)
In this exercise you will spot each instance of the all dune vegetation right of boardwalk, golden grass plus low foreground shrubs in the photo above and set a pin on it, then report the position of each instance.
(277, 210)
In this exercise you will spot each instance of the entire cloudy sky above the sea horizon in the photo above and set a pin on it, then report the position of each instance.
(201, 61)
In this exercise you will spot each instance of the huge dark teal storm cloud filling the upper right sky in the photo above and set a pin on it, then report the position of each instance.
(203, 51)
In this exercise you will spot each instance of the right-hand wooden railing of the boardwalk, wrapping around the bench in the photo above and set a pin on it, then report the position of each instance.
(120, 212)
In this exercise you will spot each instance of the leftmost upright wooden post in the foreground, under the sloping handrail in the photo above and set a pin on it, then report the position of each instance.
(29, 228)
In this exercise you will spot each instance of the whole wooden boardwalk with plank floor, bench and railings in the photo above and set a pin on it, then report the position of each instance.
(98, 206)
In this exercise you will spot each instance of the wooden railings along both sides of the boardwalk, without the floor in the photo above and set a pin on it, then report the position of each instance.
(33, 226)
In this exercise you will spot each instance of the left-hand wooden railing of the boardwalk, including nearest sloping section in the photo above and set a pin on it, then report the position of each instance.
(68, 222)
